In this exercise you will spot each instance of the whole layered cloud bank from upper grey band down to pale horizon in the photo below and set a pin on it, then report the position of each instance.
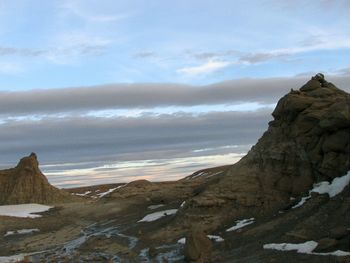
(123, 132)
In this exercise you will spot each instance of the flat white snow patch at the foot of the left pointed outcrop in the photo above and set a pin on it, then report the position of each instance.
(24, 210)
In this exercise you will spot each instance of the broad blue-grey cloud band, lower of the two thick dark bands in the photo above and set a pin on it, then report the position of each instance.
(81, 139)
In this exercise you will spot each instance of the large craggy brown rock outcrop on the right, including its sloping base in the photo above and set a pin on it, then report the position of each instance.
(308, 141)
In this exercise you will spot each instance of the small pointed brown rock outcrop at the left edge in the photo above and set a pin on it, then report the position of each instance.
(26, 184)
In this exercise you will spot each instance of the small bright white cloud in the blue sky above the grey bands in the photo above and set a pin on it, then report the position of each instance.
(206, 68)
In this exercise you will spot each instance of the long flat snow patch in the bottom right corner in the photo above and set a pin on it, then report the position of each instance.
(304, 248)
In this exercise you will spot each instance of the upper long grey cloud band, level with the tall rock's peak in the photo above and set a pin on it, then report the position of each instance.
(131, 96)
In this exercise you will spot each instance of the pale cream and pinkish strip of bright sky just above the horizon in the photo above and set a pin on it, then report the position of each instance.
(152, 170)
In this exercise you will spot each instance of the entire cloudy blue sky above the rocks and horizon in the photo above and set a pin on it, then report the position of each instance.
(113, 91)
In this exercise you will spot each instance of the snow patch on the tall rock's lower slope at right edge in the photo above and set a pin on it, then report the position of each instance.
(332, 189)
